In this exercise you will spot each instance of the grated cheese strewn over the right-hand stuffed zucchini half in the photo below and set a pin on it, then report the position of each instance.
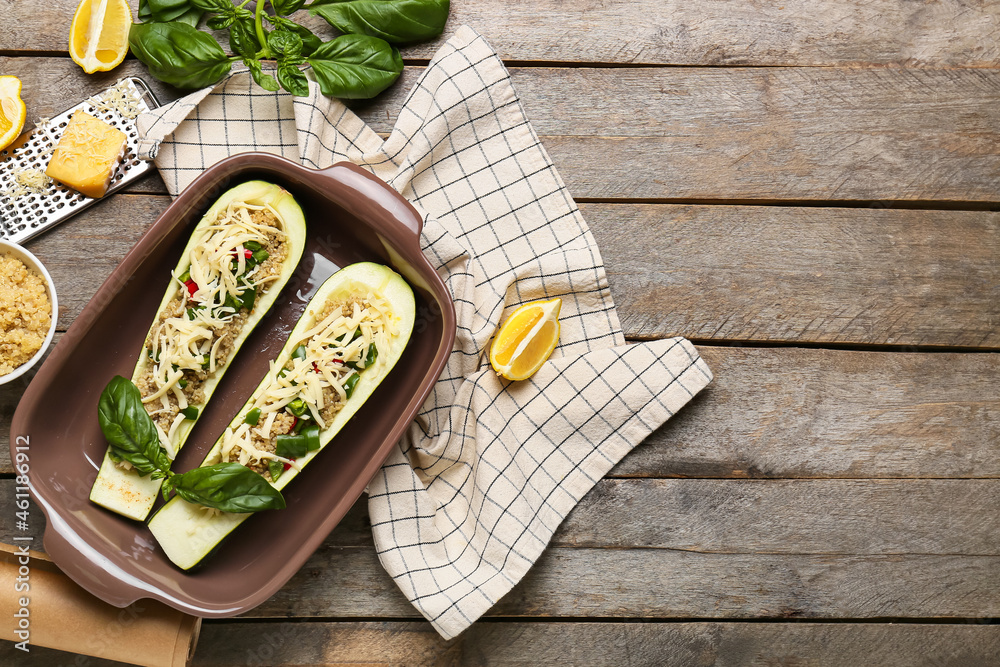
(318, 378)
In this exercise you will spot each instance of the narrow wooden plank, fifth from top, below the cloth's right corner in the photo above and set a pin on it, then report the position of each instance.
(802, 517)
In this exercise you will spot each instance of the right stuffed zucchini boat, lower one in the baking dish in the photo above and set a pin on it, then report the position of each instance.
(352, 333)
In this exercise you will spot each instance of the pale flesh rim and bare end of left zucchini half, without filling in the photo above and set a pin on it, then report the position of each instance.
(124, 491)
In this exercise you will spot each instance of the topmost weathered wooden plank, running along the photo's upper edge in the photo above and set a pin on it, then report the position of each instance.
(708, 32)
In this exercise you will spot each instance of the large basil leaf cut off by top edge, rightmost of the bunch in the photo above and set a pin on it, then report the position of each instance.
(395, 21)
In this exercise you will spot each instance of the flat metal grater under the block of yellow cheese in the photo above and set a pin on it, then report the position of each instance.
(26, 214)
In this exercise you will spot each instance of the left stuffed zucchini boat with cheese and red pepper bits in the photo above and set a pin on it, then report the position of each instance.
(240, 255)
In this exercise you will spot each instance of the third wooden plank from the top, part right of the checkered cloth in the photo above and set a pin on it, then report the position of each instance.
(803, 274)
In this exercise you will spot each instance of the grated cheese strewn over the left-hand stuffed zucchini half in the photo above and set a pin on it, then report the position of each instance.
(190, 339)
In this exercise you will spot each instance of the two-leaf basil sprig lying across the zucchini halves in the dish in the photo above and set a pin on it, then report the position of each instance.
(132, 435)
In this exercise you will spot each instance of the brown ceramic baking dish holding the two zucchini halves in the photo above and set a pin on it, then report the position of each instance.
(350, 216)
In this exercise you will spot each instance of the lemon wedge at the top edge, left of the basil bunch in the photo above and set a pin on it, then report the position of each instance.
(98, 37)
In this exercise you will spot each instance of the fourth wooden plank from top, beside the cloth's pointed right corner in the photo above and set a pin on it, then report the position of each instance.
(800, 413)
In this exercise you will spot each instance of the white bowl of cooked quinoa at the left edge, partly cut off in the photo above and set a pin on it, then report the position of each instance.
(28, 310)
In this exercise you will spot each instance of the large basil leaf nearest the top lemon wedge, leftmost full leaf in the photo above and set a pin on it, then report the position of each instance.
(178, 54)
